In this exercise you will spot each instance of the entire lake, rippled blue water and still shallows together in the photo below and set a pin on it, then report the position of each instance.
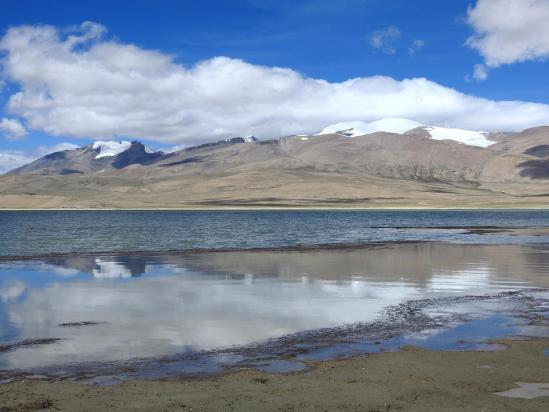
(223, 290)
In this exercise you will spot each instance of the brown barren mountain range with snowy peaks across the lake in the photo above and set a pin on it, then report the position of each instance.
(388, 163)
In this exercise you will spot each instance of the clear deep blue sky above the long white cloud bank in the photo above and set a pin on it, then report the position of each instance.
(325, 39)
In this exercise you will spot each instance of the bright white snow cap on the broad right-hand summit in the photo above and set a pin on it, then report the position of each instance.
(403, 126)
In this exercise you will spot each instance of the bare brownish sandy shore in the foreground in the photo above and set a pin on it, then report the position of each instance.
(412, 379)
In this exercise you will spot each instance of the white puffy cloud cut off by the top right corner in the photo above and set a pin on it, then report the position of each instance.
(510, 31)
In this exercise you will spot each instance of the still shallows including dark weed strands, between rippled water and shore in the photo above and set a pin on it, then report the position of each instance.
(201, 306)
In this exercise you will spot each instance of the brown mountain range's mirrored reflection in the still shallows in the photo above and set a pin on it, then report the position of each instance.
(419, 262)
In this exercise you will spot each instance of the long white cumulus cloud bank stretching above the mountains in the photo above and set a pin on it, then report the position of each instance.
(80, 84)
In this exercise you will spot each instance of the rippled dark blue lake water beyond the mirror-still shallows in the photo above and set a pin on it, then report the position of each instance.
(31, 233)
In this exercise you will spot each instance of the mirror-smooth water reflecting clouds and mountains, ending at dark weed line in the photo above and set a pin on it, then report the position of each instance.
(164, 304)
